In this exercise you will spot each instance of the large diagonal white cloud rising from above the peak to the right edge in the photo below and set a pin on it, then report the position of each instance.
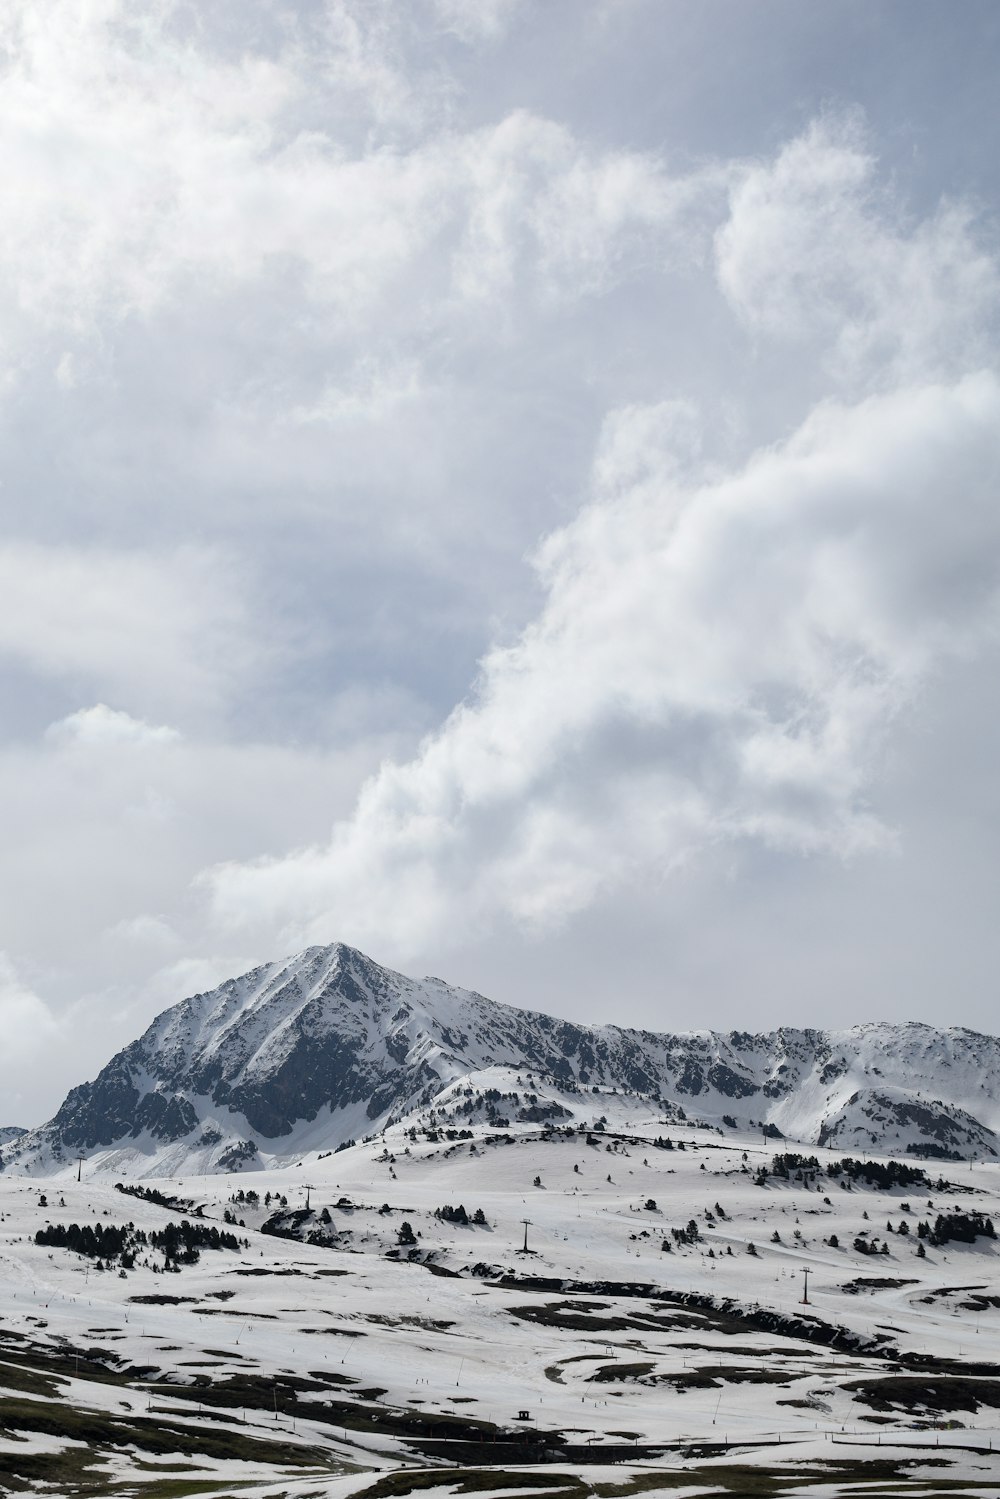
(713, 662)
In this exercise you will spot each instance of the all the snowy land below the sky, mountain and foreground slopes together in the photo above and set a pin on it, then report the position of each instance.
(329, 1231)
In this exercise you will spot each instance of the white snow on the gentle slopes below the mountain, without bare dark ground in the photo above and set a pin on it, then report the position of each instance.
(593, 1365)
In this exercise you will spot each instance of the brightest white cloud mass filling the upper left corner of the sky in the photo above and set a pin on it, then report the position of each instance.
(137, 167)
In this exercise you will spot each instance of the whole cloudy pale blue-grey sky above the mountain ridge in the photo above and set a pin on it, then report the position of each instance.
(507, 485)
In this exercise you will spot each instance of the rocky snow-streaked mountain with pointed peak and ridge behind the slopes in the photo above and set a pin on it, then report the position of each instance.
(326, 1047)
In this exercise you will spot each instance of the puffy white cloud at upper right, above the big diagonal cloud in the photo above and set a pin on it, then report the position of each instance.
(815, 248)
